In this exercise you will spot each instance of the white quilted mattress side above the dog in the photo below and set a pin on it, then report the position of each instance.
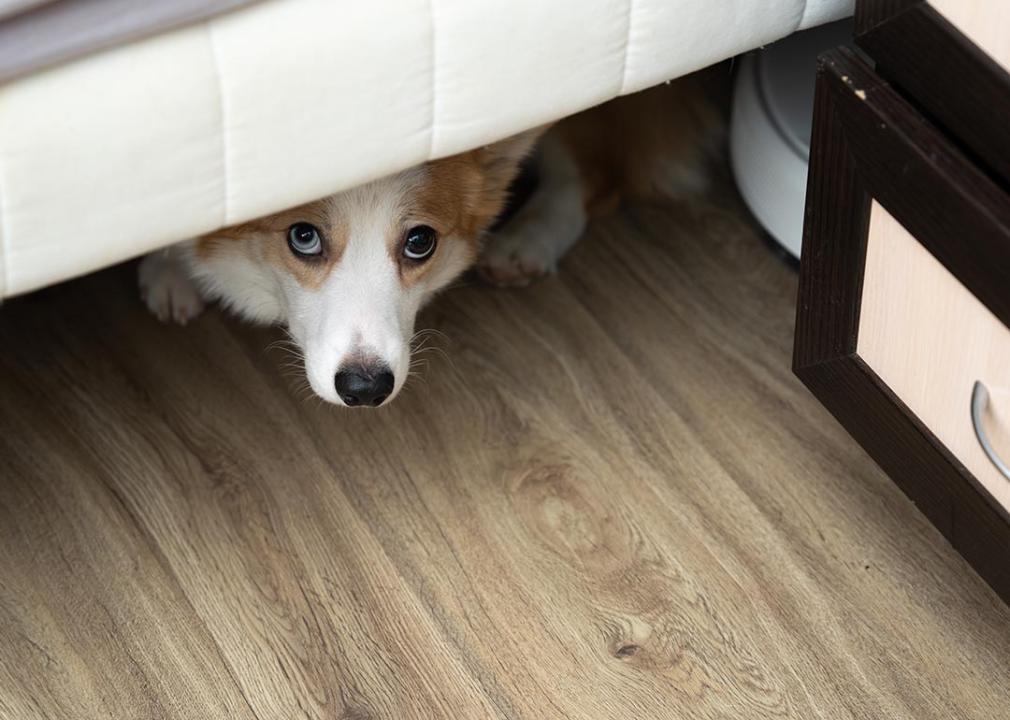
(136, 148)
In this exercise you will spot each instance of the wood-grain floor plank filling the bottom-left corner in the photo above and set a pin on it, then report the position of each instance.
(92, 625)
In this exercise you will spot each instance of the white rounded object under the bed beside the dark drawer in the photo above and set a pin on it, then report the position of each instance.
(770, 129)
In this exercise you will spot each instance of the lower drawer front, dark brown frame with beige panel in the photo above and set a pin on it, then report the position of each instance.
(904, 304)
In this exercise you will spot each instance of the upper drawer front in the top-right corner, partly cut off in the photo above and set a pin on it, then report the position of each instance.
(953, 58)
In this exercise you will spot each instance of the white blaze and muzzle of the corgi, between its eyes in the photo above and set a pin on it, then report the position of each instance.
(363, 310)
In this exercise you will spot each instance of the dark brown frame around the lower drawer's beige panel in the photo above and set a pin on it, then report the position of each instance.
(871, 144)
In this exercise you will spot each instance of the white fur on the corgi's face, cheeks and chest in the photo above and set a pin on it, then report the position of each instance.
(362, 312)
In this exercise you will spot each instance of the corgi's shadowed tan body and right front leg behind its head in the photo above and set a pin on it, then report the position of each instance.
(658, 143)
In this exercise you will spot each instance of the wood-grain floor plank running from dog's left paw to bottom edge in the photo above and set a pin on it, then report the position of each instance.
(287, 582)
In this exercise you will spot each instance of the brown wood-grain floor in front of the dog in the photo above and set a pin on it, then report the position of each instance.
(610, 498)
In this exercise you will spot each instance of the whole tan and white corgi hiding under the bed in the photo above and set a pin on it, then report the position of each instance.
(348, 274)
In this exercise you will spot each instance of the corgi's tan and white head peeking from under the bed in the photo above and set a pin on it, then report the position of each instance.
(349, 273)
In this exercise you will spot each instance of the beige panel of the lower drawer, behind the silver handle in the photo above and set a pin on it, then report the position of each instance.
(930, 340)
